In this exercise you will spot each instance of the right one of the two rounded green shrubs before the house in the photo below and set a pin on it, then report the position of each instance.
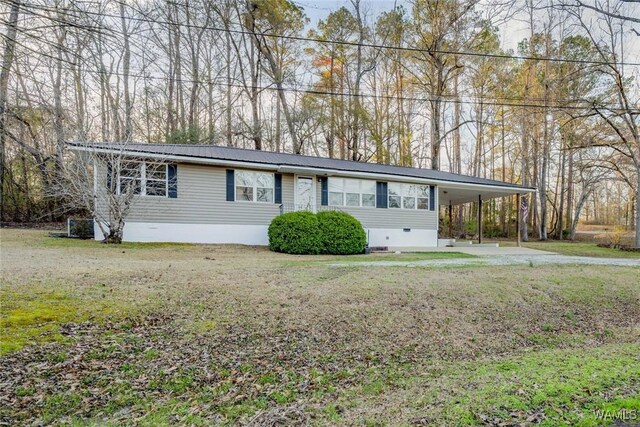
(341, 233)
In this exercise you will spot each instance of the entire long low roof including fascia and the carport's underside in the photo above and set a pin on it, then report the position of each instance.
(464, 185)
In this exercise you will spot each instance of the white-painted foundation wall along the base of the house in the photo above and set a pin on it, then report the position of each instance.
(257, 234)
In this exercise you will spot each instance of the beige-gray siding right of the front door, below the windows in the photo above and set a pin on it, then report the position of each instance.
(388, 218)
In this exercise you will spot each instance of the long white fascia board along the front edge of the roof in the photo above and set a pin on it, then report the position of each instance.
(312, 171)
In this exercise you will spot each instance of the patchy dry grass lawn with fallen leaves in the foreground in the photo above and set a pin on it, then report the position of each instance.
(201, 334)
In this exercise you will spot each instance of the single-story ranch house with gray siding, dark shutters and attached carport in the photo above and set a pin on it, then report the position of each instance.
(216, 194)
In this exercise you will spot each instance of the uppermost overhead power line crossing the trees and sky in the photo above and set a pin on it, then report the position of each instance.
(335, 42)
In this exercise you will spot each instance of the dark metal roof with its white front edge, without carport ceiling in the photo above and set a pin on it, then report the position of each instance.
(207, 151)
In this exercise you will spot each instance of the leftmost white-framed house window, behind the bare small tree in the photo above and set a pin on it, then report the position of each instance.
(143, 178)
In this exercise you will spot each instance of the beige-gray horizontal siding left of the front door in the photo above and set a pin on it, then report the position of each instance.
(202, 200)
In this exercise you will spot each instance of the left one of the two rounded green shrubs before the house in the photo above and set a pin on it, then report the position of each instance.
(295, 233)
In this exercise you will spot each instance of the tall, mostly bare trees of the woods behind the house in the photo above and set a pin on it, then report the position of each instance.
(425, 84)
